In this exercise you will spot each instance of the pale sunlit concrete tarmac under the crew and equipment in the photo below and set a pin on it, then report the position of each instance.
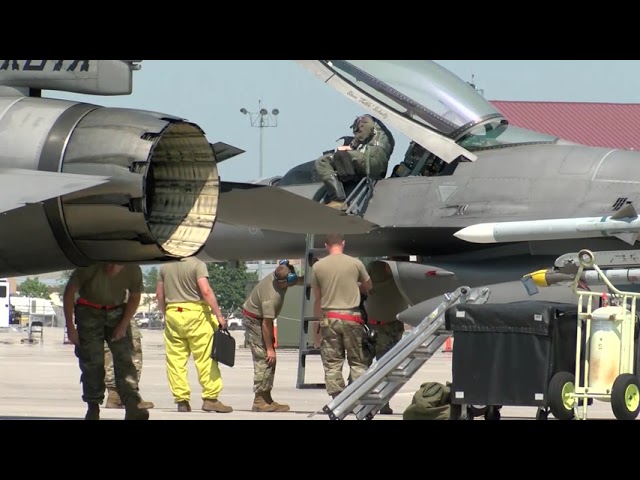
(42, 381)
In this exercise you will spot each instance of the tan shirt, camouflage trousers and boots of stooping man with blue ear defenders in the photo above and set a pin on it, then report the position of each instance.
(264, 301)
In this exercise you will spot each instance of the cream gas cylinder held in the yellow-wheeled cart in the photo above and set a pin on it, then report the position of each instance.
(604, 346)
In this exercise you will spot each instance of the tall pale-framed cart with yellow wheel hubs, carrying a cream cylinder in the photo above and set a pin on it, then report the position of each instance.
(608, 369)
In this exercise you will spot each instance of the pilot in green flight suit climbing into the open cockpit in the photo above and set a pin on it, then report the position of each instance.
(372, 146)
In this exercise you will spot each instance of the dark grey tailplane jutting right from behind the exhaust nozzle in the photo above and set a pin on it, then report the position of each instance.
(272, 208)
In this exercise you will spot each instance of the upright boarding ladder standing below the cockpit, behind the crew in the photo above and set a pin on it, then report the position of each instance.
(304, 348)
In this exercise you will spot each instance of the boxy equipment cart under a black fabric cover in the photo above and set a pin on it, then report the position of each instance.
(508, 354)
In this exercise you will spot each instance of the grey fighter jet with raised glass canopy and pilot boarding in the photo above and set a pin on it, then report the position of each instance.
(465, 165)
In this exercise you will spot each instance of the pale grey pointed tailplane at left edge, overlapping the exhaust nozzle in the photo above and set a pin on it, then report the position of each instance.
(20, 187)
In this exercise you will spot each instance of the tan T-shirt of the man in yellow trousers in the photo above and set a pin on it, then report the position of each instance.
(180, 280)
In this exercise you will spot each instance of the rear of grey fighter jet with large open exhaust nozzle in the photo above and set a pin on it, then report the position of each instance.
(82, 183)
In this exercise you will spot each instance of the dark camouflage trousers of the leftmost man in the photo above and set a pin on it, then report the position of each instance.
(95, 327)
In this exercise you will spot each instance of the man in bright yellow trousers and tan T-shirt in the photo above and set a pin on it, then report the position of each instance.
(183, 293)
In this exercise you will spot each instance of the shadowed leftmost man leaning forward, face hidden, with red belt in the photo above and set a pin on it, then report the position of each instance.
(101, 314)
